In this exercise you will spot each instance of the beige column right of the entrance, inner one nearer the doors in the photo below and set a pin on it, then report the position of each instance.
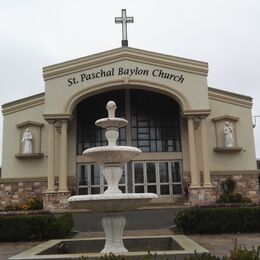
(195, 178)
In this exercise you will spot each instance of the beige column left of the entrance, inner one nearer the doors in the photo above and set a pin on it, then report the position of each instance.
(63, 187)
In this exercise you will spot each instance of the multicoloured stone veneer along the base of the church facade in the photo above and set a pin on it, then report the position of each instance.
(15, 191)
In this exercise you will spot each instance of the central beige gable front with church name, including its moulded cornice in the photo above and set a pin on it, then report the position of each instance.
(71, 81)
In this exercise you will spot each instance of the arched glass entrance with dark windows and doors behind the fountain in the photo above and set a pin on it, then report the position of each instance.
(154, 127)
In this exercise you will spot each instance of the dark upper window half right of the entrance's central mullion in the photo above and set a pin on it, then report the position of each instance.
(155, 125)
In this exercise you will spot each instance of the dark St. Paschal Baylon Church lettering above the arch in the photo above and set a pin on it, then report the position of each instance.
(127, 72)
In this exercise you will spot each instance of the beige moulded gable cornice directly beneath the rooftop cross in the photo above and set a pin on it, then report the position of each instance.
(125, 53)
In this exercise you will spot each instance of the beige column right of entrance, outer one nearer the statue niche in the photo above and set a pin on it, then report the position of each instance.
(205, 158)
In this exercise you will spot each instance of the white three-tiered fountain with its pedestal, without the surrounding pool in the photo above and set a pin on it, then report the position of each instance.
(113, 200)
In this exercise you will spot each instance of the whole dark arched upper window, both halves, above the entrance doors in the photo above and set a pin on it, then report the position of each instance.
(154, 121)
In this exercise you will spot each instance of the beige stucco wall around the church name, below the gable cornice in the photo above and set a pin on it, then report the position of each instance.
(194, 86)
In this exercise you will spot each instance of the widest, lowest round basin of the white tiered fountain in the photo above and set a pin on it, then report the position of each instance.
(116, 202)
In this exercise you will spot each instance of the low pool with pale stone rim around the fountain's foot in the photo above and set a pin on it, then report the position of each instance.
(168, 247)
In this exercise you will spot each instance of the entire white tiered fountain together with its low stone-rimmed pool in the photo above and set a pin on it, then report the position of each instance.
(113, 202)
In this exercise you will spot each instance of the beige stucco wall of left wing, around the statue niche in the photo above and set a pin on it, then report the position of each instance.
(23, 168)
